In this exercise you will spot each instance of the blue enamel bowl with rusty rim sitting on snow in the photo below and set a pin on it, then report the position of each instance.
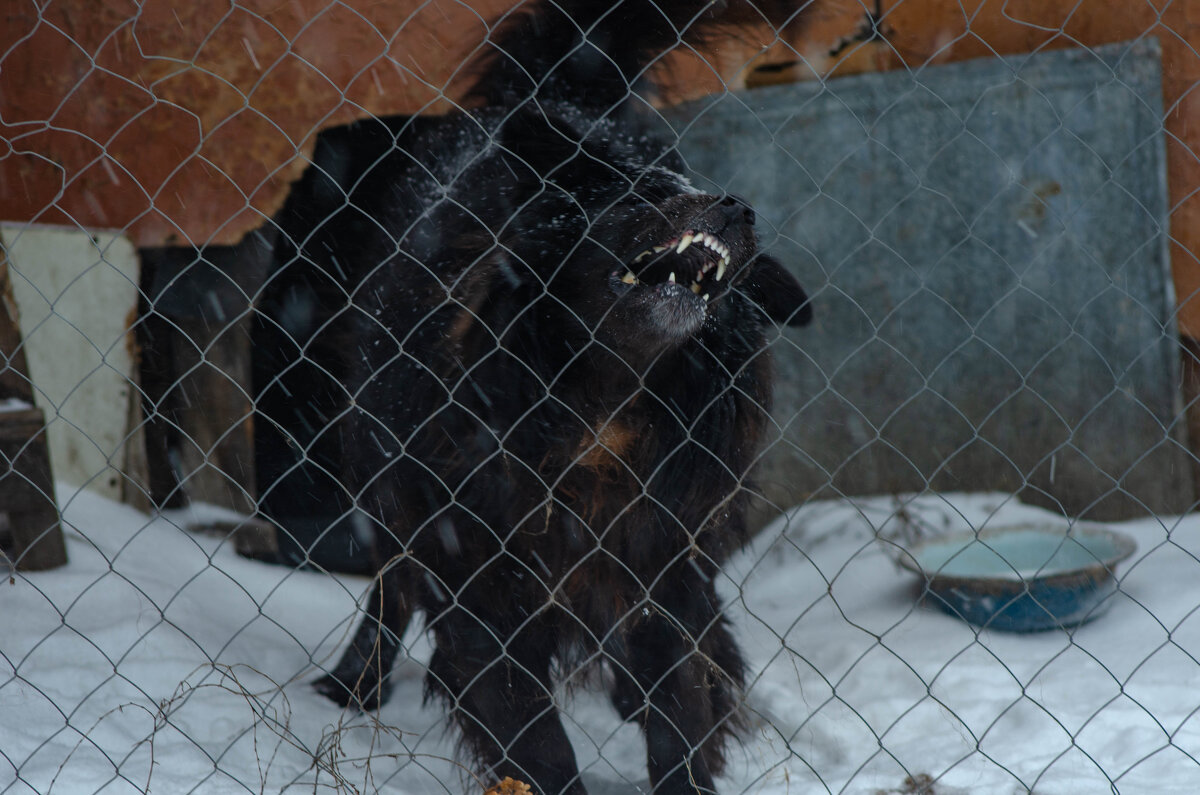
(1024, 578)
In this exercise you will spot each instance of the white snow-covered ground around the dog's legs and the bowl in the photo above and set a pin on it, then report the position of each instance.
(159, 661)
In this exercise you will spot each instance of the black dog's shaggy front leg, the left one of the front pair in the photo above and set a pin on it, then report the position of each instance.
(500, 690)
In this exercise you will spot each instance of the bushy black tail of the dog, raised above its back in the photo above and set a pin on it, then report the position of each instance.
(596, 52)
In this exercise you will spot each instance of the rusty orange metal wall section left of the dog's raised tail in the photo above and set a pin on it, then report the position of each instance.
(183, 122)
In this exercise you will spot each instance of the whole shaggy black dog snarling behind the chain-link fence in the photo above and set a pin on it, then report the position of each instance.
(551, 350)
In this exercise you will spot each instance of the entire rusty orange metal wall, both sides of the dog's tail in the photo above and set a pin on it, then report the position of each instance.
(182, 122)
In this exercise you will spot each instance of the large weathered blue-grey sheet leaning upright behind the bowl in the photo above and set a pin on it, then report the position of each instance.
(987, 248)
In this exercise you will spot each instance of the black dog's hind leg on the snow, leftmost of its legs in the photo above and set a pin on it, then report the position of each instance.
(362, 676)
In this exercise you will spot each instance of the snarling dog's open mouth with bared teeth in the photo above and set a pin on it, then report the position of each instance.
(694, 260)
